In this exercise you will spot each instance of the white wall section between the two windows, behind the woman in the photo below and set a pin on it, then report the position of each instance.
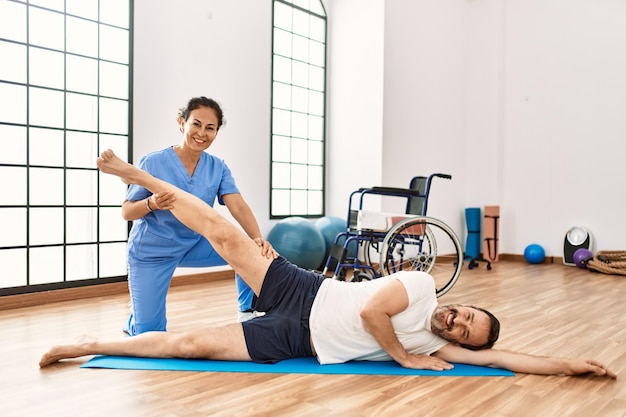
(219, 49)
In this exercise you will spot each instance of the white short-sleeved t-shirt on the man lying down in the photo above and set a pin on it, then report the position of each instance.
(337, 329)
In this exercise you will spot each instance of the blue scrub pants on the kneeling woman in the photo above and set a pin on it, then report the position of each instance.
(149, 279)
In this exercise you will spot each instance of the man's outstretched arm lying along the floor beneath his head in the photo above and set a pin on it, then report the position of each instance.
(523, 363)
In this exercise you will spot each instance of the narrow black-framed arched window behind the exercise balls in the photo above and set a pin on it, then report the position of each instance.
(298, 108)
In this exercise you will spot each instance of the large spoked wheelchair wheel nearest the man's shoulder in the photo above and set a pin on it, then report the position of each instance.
(423, 244)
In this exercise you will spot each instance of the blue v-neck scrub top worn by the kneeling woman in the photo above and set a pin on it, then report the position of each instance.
(212, 179)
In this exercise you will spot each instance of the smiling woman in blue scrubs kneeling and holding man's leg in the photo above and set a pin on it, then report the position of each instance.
(158, 242)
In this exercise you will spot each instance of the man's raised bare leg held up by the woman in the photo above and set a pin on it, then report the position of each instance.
(231, 243)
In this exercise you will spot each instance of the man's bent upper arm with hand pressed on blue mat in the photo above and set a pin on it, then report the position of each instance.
(376, 316)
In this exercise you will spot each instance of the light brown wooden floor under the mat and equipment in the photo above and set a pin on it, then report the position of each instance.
(544, 309)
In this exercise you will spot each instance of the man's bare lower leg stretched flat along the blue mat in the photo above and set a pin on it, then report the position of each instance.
(219, 343)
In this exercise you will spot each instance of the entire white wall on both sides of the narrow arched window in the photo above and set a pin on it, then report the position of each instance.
(522, 101)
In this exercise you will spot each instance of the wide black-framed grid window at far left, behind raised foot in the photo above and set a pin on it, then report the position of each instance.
(64, 96)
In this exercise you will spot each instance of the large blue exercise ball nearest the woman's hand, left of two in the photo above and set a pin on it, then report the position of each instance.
(299, 241)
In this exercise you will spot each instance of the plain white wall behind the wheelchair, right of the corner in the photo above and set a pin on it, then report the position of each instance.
(523, 101)
